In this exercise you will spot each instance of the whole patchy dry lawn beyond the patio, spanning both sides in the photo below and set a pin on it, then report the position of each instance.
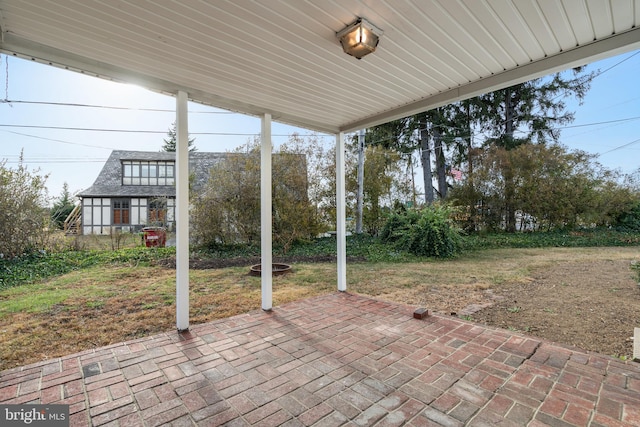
(104, 305)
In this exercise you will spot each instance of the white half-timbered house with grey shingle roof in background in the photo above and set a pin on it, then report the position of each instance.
(136, 189)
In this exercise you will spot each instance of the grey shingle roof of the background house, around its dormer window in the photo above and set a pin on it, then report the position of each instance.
(109, 181)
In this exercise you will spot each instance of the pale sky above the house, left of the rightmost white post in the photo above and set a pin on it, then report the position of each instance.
(42, 97)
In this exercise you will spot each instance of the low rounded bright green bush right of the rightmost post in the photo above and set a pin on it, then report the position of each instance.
(426, 232)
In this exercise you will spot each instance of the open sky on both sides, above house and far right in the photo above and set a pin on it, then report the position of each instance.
(35, 97)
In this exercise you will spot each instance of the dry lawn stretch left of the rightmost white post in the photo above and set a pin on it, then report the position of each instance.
(105, 305)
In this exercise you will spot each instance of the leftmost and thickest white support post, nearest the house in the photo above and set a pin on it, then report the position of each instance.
(182, 213)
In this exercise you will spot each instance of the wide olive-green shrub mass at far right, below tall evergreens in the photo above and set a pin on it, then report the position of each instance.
(554, 188)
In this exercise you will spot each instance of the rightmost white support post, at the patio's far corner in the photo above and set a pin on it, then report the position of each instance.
(341, 223)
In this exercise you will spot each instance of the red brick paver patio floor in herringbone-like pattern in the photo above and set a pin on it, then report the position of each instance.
(334, 360)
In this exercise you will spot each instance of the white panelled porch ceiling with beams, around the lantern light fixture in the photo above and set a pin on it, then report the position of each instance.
(282, 57)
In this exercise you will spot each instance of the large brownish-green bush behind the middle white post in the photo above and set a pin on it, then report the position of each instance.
(227, 212)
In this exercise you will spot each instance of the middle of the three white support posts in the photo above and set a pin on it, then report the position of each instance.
(266, 225)
